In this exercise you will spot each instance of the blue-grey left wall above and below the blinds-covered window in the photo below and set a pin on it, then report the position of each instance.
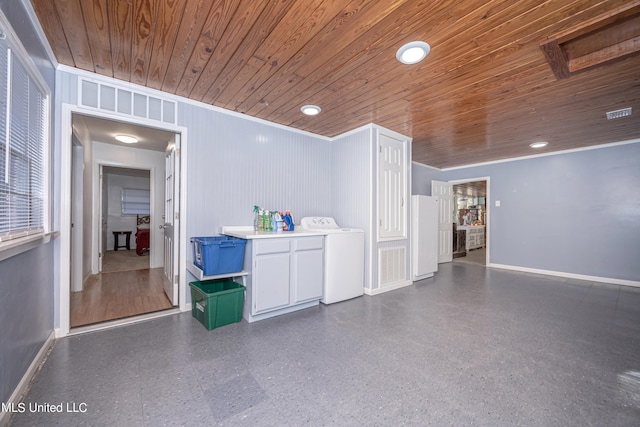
(26, 280)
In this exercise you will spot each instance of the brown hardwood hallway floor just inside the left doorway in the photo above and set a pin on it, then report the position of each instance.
(115, 295)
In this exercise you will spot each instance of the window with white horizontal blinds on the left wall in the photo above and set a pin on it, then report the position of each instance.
(23, 145)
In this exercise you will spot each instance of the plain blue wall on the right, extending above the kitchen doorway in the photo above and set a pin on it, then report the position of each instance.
(576, 212)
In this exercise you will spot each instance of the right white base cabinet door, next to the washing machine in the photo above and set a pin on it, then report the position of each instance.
(307, 275)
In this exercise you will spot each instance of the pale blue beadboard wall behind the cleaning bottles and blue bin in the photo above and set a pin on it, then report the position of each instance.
(236, 163)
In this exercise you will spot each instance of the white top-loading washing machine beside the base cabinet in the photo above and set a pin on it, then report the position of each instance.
(343, 259)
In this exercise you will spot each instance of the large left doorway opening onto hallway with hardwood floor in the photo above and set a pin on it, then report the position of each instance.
(118, 196)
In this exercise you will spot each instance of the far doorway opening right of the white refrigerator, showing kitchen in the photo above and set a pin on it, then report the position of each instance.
(470, 213)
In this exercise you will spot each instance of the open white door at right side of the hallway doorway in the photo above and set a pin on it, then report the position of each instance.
(171, 220)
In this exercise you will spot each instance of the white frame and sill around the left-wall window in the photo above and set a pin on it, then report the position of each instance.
(16, 241)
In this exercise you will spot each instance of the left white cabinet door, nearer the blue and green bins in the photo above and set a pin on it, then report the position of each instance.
(271, 282)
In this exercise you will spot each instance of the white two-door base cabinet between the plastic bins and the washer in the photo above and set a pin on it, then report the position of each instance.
(285, 274)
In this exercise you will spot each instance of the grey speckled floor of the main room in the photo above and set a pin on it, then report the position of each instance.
(472, 346)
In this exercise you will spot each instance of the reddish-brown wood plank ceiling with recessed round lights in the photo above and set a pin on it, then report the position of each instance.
(485, 92)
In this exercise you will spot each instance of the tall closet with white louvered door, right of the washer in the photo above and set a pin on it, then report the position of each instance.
(371, 190)
